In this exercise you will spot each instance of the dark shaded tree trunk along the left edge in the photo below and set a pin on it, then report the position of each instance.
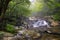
(3, 7)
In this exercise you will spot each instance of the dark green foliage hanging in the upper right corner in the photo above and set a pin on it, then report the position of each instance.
(54, 8)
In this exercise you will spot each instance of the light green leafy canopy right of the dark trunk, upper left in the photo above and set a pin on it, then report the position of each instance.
(18, 7)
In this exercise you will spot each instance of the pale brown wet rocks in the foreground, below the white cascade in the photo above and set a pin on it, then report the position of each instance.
(27, 34)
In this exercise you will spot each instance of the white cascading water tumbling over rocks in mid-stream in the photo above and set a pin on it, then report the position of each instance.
(42, 25)
